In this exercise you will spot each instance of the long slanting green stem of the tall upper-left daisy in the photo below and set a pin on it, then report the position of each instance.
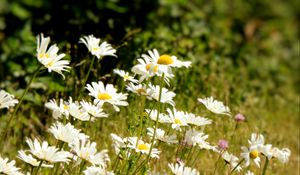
(20, 102)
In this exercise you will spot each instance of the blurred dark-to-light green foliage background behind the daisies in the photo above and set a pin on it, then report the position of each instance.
(246, 52)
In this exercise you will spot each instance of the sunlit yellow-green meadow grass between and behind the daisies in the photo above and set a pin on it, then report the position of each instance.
(272, 116)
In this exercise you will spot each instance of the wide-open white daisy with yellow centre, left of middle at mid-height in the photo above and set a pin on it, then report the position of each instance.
(107, 94)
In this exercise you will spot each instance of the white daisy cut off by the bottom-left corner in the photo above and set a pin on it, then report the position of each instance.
(8, 168)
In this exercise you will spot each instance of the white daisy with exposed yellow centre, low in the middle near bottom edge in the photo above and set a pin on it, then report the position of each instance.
(142, 147)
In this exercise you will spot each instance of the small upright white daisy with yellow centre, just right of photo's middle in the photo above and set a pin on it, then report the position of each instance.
(177, 118)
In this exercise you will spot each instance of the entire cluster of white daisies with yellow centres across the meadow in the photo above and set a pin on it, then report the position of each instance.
(165, 124)
